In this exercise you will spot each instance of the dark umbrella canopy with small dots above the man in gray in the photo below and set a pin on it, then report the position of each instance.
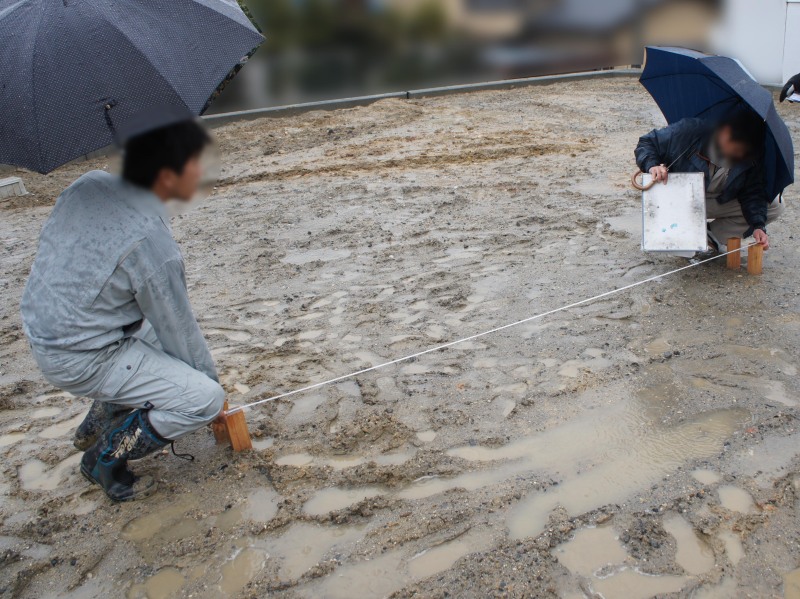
(73, 72)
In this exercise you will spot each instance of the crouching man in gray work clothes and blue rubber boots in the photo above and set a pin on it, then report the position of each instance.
(107, 313)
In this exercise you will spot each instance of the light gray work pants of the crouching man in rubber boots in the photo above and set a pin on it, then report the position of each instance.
(135, 372)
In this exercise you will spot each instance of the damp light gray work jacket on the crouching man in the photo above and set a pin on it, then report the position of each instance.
(107, 261)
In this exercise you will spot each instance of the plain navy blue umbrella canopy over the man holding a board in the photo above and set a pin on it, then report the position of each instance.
(686, 83)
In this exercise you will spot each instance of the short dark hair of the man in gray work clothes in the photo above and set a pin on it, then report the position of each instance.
(169, 147)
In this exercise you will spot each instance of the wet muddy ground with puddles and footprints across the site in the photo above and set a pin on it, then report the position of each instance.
(646, 444)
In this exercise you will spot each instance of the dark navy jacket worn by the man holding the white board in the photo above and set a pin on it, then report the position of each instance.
(685, 143)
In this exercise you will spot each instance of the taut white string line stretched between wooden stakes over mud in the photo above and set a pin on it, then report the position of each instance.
(478, 335)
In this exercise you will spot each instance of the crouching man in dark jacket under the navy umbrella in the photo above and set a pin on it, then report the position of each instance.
(729, 155)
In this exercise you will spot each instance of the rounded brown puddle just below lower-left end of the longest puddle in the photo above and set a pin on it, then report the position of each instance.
(591, 549)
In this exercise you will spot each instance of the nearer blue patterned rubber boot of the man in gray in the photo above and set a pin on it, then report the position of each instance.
(106, 462)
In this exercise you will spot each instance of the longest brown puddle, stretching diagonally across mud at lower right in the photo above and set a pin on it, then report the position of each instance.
(641, 463)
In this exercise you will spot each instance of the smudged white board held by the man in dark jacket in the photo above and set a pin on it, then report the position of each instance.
(674, 215)
